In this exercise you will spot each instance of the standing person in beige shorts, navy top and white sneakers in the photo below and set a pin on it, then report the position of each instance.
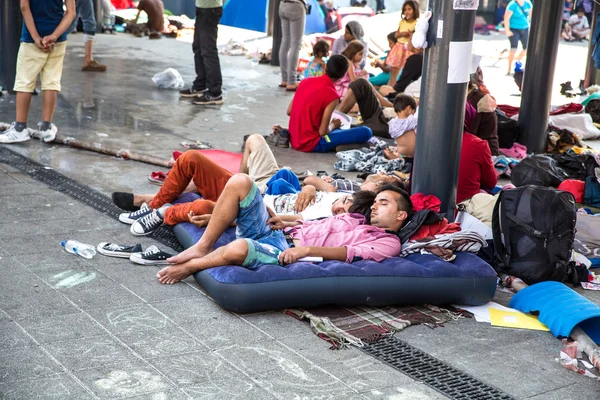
(42, 50)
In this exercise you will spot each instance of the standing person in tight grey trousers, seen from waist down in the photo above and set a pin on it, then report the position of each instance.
(293, 18)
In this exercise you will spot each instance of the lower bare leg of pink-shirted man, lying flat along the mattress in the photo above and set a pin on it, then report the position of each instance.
(232, 254)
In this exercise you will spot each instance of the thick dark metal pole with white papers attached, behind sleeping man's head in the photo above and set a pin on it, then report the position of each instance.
(446, 66)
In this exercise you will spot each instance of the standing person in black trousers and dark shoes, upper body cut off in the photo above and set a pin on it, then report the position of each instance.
(207, 88)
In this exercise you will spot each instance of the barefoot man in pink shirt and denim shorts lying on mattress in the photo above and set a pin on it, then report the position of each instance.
(260, 240)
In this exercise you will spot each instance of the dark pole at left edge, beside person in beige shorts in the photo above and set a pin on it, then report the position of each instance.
(10, 28)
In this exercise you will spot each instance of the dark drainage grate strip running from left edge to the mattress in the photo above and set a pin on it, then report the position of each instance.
(79, 192)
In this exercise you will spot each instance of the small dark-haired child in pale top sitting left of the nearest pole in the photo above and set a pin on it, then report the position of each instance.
(403, 128)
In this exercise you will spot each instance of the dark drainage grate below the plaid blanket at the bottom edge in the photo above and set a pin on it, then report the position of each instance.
(436, 374)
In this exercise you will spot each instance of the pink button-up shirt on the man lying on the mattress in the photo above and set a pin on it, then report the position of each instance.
(349, 231)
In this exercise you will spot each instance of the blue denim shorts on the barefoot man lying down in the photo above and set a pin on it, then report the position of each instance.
(264, 244)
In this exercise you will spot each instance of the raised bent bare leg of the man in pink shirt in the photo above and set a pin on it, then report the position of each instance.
(224, 214)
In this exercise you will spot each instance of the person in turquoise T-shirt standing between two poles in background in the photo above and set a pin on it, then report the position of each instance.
(517, 20)
